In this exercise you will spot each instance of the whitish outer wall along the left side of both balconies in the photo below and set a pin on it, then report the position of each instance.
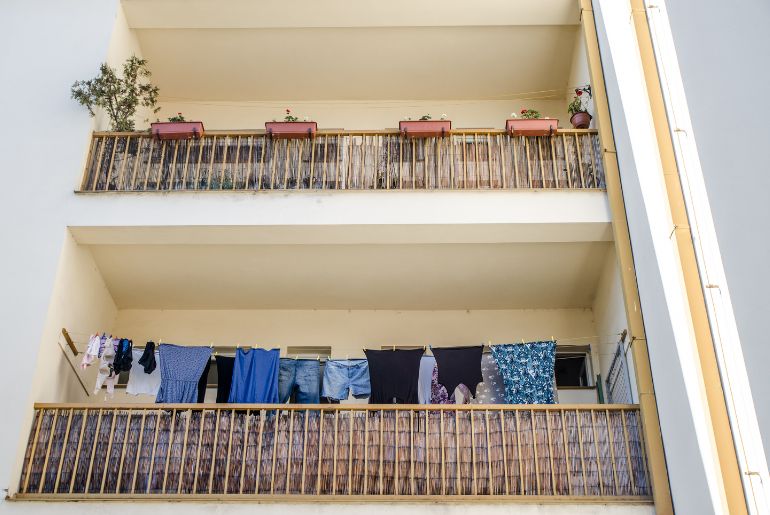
(42, 143)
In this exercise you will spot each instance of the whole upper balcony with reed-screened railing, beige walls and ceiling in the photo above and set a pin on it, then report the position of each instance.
(354, 70)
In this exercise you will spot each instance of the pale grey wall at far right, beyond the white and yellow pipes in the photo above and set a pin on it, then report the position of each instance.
(731, 157)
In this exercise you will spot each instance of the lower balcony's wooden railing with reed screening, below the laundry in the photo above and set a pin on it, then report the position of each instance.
(577, 453)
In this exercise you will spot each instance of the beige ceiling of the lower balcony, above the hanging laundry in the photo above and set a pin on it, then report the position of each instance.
(415, 276)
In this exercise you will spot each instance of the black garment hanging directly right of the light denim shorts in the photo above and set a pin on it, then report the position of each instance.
(394, 375)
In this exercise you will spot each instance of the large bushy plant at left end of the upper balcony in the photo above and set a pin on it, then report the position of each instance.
(118, 96)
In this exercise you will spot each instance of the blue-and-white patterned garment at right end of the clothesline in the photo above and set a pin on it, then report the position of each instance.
(527, 370)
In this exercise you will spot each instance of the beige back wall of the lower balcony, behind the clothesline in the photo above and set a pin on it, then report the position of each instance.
(348, 332)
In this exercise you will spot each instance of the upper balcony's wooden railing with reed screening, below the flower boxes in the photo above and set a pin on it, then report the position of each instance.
(383, 160)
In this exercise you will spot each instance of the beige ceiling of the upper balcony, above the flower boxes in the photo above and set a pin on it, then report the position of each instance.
(362, 50)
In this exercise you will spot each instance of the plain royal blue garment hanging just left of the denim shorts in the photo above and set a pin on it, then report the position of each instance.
(255, 376)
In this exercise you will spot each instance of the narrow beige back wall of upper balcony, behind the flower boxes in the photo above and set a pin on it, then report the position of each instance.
(356, 115)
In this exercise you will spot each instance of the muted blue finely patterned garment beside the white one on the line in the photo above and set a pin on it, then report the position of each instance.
(180, 371)
